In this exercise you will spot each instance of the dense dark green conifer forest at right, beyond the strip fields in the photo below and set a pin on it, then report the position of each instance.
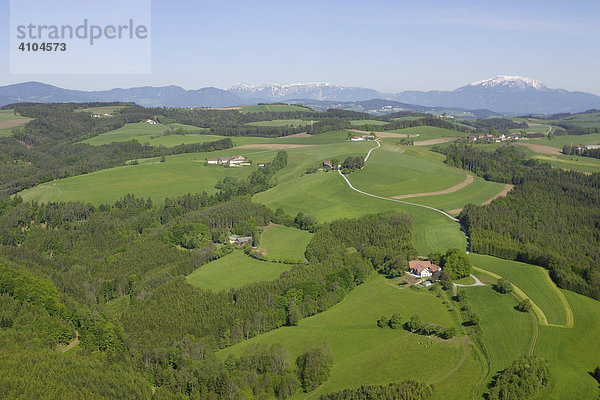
(550, 218)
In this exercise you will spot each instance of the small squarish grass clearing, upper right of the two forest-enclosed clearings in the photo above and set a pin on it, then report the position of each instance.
(285, 243)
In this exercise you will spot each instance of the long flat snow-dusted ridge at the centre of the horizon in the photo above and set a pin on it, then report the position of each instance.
(314, 91)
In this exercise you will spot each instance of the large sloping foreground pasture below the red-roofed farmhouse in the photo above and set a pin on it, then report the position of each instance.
(366, 354)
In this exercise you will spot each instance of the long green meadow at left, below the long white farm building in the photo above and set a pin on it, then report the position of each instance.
(180, 174)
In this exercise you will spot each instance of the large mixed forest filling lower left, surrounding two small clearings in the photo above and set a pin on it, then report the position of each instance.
(114, 277)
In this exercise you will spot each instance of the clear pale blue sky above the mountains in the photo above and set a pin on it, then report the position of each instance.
(385, 45)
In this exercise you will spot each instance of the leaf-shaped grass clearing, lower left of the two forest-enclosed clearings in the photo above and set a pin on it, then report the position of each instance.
(233, 271)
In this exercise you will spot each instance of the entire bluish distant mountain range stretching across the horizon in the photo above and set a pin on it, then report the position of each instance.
(502, 94)
